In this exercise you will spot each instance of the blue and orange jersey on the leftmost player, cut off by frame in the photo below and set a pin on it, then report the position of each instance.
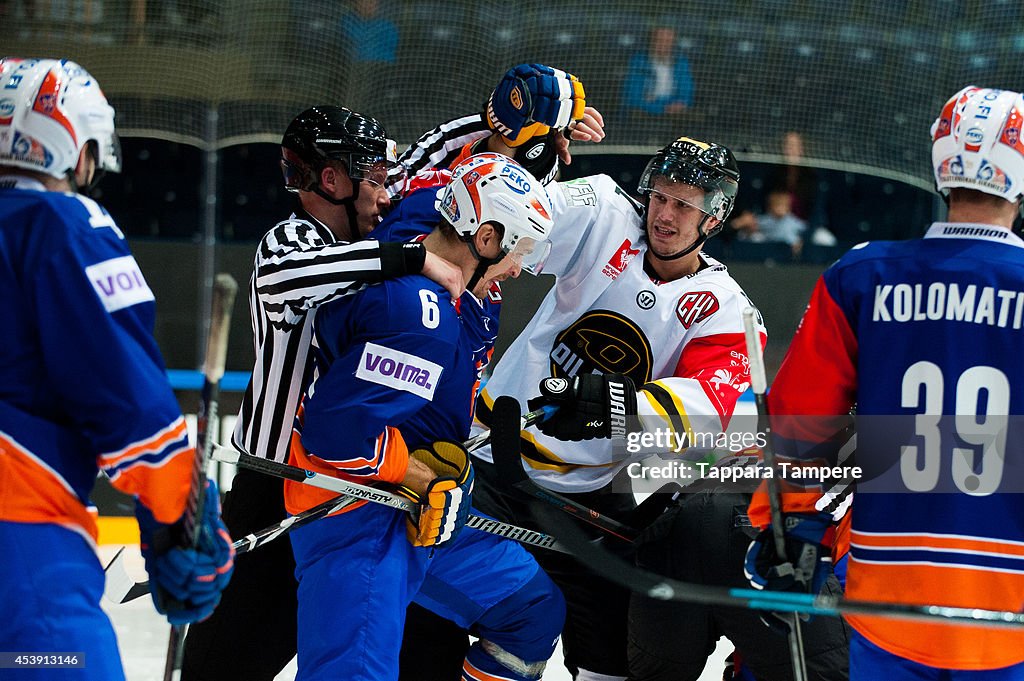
(82, 384)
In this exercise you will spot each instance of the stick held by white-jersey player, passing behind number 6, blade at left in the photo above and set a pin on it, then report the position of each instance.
(122, 589)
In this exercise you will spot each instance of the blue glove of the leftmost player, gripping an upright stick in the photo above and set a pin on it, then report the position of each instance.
(187, 582)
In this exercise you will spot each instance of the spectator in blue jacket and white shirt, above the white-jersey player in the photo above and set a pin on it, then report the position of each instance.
(659, 82)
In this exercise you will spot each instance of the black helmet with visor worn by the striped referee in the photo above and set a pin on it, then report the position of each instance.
(334, 134)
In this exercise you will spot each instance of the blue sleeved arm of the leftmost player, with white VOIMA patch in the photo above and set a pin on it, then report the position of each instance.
(96, 317)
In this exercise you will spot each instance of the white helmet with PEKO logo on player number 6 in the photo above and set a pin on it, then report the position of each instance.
(492, 188)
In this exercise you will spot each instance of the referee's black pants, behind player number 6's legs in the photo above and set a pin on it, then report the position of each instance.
(252, 632)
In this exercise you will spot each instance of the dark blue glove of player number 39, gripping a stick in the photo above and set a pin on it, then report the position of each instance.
(809, 538)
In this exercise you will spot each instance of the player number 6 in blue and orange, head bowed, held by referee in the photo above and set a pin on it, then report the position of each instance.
(396, 374)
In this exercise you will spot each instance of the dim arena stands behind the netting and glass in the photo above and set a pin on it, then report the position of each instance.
(204, 91)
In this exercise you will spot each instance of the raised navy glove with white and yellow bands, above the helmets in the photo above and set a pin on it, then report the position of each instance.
(531, 100)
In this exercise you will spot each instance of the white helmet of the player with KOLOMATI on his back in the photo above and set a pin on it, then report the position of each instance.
(977, 143)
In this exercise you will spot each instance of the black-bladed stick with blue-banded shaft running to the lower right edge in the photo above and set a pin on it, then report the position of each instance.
(642, 581)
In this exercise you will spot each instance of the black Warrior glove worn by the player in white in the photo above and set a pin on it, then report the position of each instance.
(589, 406)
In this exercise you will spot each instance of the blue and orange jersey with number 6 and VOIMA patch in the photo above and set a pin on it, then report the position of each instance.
(394, 371)
